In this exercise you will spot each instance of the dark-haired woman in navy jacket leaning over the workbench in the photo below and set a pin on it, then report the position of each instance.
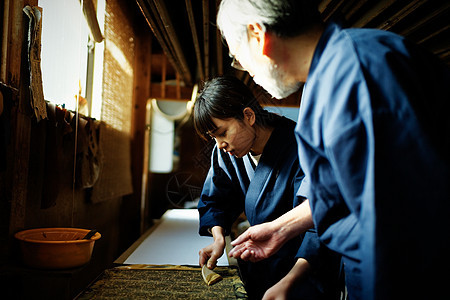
(255, 169)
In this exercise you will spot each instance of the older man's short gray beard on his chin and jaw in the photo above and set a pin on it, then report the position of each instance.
(272, 82)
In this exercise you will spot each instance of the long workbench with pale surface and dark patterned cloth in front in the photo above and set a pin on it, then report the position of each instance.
(163, 264)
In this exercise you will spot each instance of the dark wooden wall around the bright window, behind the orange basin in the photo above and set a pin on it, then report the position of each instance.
(117, 219)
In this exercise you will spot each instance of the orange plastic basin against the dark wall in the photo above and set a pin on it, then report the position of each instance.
(56, 248)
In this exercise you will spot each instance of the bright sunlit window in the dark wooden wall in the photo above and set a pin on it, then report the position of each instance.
(72, 63)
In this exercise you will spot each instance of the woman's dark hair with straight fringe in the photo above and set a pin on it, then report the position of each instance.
(223, 98)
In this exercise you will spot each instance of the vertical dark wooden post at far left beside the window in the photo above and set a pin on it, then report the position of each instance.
(11, 73)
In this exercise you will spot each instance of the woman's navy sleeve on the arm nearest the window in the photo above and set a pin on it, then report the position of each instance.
(221, 200)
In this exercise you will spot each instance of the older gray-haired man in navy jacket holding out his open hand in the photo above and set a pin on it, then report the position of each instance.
(374, 141)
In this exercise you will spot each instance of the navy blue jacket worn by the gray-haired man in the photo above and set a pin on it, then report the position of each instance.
(374, 143)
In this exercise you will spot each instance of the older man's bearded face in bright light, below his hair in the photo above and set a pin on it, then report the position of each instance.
(264, 70)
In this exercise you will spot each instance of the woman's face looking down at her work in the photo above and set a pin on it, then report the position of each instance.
(234, 136)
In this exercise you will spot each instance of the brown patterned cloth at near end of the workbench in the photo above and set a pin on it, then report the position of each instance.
(160, 284)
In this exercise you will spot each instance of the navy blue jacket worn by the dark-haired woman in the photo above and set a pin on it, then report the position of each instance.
(233, 186)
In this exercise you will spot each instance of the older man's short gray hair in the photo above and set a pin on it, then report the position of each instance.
(285, 18)
